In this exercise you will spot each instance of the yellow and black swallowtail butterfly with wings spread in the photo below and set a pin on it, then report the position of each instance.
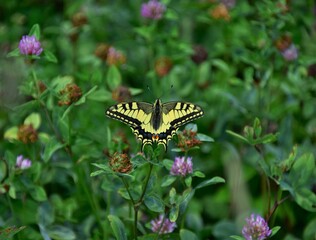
(155, 123)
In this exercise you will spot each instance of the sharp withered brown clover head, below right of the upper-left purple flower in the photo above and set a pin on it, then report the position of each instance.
(70, 94)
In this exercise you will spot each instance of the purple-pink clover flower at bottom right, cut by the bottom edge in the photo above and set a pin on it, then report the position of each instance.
(256, 228)
